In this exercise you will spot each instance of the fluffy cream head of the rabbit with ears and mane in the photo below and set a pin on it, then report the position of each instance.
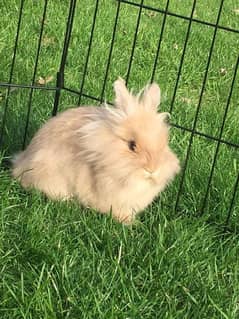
(131, 139)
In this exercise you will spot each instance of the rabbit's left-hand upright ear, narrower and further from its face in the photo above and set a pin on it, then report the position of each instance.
(123, 98)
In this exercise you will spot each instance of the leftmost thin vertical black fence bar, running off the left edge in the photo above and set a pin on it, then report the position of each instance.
(4, 118)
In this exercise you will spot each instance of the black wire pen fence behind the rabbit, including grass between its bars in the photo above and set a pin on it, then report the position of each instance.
(85, 45)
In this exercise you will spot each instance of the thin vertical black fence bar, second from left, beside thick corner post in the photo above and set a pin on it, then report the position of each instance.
(29, 105)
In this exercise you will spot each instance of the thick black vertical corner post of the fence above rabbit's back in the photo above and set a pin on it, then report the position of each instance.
(60, 73)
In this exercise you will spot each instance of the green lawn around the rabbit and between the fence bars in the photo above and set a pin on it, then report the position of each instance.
(58, 260)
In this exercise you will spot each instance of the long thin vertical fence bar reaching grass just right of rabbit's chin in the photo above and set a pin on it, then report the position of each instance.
(198, 107)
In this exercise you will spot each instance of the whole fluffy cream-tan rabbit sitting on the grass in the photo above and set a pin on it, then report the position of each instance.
(113, 159)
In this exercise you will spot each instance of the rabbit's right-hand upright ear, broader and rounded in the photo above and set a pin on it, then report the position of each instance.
(151, 97)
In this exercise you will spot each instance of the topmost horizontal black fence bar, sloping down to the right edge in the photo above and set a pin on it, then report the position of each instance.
(179, 16)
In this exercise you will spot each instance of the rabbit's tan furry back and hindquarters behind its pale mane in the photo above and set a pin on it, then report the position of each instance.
(49, 163)
